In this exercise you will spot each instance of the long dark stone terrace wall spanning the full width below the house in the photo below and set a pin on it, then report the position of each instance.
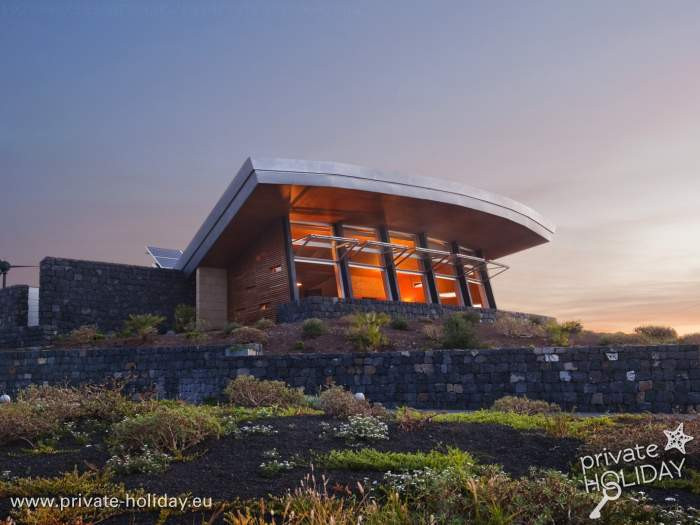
(597, 379)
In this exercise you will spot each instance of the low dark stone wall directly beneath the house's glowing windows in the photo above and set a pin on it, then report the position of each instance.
(332, 307)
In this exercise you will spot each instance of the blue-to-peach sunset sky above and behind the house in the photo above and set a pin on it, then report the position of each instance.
(122, 122)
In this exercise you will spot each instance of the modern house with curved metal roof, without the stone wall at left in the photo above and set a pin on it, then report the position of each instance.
(285, 230)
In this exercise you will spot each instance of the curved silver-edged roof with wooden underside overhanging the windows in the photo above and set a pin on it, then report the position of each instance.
(267, 189)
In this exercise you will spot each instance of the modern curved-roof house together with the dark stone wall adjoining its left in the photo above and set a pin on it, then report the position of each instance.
(291, 234)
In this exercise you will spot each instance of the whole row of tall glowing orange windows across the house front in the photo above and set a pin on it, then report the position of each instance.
(322, 254)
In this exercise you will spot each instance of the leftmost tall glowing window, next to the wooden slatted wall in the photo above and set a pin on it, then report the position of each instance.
(315, 260)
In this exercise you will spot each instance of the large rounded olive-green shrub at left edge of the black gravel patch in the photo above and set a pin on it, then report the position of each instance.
(170, 428)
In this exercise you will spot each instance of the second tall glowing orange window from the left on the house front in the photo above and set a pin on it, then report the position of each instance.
(366, 264)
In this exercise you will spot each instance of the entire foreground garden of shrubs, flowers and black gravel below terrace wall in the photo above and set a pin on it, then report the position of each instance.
(331, 459)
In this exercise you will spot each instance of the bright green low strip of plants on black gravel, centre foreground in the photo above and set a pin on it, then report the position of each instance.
(372, 459)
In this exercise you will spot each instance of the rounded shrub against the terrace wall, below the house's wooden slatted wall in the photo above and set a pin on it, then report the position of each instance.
(248, 391)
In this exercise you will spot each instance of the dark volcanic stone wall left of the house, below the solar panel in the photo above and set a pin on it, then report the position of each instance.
(74, 293)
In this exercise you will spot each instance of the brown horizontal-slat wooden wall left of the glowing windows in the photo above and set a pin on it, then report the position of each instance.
(258, 281)
